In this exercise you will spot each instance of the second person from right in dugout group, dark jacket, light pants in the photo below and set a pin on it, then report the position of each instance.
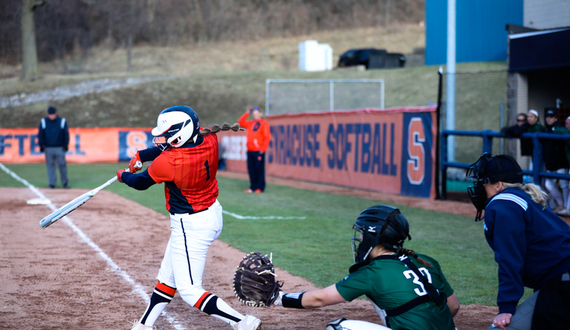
(554, 156)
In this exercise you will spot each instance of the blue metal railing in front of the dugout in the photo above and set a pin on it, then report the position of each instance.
(487, 136)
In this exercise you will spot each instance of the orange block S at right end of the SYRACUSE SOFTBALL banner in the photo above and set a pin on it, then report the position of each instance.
(415, 167)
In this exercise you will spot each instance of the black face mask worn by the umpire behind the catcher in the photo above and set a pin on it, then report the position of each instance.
(489, 169)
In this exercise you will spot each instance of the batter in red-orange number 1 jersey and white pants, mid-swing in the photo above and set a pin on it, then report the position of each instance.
(186, 162)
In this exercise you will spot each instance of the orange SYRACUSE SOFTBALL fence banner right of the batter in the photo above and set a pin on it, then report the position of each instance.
(390, 150)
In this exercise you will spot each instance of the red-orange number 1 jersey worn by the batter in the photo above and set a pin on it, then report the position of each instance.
(189, 175)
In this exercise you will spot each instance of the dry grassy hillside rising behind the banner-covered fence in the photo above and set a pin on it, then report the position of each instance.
(218, 79)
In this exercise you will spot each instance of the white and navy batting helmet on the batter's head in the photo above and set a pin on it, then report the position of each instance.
(175, 126)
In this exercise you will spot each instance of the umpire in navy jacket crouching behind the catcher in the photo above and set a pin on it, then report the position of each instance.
(530, 242)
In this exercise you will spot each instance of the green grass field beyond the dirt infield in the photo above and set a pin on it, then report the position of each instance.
(317, 247)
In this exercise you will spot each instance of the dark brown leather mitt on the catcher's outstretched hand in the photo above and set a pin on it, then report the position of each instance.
(254, 281)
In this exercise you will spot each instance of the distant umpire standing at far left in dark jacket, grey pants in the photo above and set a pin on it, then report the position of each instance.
(53, 138)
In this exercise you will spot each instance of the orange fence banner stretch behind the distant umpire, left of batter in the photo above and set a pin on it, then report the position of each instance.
(86, 145)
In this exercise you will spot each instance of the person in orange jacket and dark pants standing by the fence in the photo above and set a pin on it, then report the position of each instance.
(258, 136)
